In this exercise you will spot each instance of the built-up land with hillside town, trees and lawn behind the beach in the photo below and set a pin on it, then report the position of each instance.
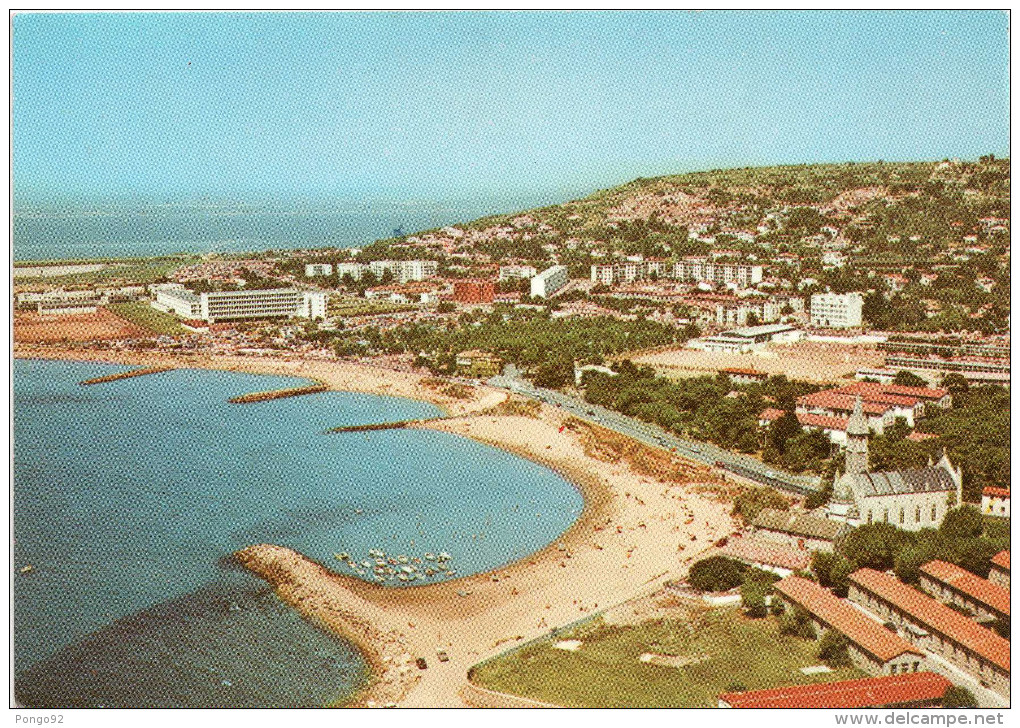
(831, 343)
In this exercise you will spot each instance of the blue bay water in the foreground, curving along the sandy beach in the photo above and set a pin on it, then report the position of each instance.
(129, 496)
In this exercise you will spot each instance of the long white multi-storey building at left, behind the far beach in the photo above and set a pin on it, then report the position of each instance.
(220, 305)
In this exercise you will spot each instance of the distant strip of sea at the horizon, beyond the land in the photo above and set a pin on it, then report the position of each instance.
(47, 234)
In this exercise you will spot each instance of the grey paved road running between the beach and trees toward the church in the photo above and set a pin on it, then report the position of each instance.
(658, 438)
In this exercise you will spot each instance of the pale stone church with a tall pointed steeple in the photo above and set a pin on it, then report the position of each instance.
(911, 500)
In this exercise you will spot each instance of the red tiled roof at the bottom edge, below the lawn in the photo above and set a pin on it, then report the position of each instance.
(868, 693)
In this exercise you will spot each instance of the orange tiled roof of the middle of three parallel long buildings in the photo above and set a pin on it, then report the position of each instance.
(936, 616)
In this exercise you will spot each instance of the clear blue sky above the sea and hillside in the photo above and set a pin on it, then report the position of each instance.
(434, 107)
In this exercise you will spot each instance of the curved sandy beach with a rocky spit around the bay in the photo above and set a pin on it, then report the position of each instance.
(635, 533)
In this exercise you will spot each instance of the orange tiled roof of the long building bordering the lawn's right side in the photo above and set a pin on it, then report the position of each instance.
(859, 630)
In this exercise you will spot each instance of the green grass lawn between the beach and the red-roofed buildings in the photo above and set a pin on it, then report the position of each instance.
(742, 654)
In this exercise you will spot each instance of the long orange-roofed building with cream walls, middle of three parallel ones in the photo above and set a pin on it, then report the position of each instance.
(934, 627)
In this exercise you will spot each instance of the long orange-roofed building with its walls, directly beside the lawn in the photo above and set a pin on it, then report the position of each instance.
(874, 649)
